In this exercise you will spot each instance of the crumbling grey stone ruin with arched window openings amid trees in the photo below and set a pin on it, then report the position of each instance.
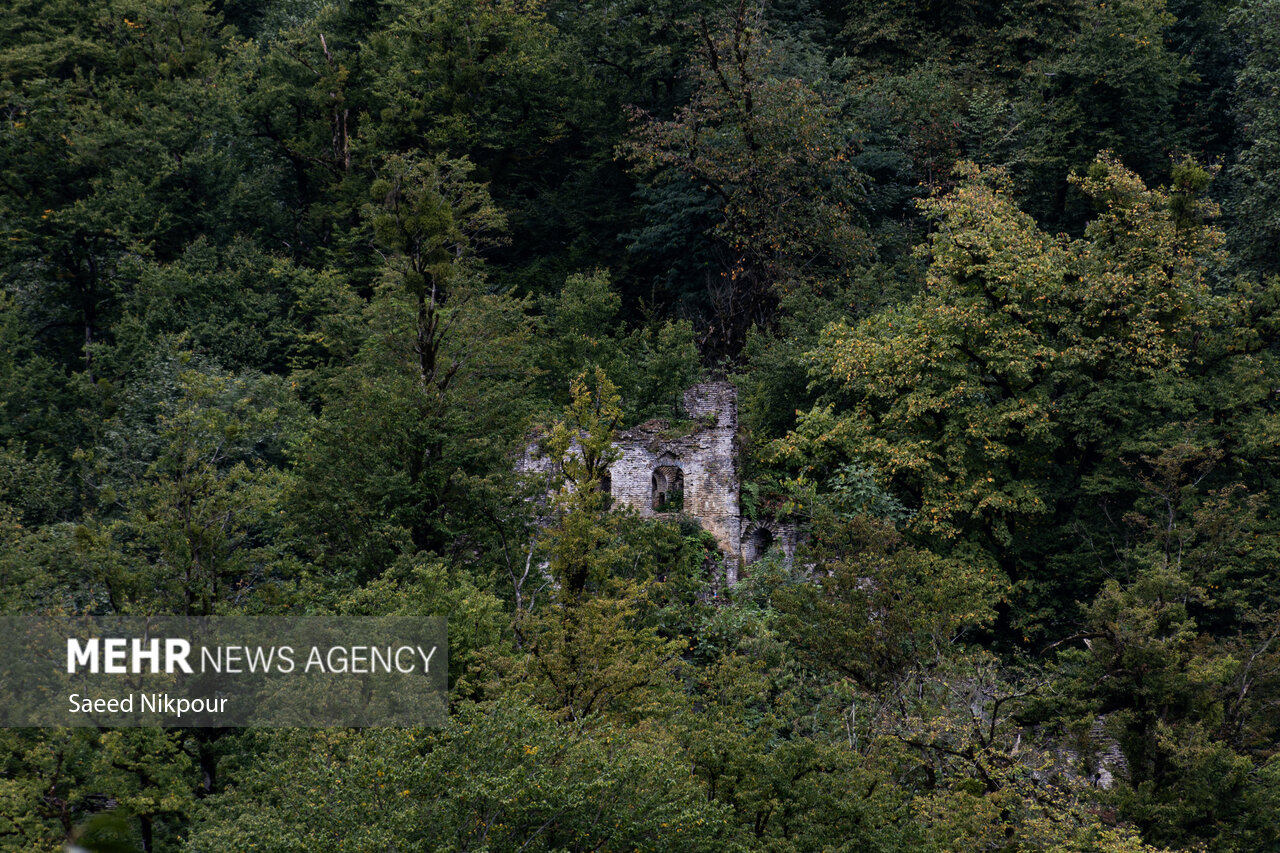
(691, 468)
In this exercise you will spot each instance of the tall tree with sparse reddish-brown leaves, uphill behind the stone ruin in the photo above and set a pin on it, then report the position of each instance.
(771, 154)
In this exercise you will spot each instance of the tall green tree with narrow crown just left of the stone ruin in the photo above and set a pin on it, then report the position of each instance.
(429, 407)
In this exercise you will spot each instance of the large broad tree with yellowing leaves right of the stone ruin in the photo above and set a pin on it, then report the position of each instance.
(1009, 391)
